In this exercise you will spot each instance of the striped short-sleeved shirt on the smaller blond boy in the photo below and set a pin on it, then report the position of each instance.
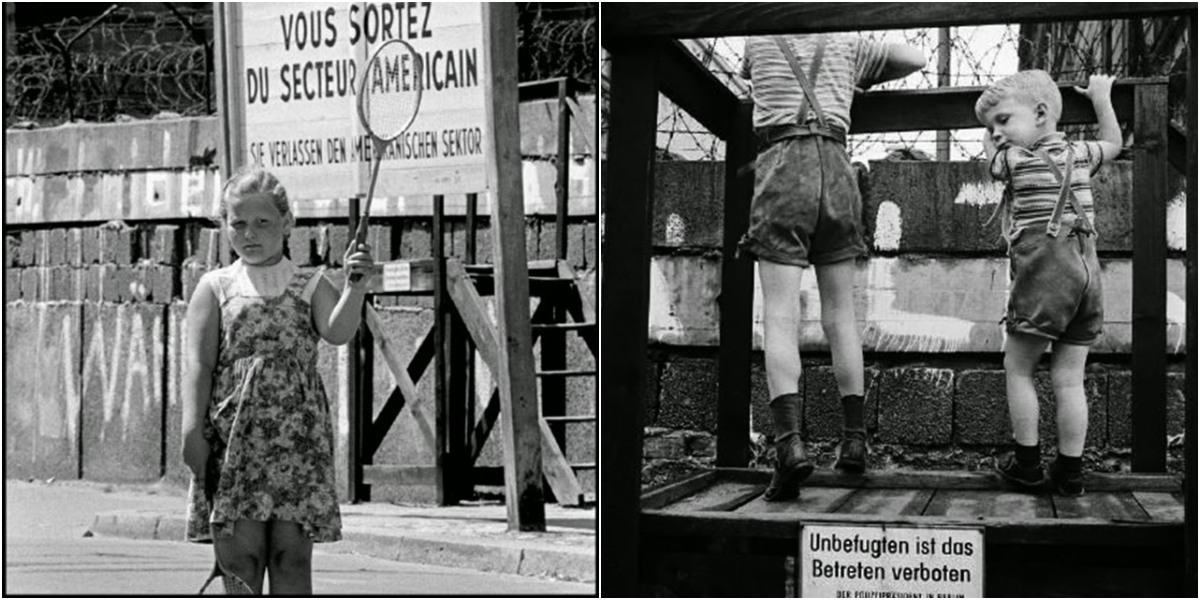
(1034, 185)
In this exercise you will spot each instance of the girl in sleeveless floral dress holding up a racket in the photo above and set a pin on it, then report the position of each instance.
(257, 430)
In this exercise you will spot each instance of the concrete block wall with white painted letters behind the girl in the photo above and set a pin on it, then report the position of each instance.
(97, 290)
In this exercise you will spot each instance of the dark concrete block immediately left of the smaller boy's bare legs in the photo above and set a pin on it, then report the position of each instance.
(981, 409)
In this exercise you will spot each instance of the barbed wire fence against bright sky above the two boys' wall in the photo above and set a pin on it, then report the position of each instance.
(977, 56)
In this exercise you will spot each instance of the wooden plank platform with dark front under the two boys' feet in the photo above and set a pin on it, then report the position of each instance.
(715, 535)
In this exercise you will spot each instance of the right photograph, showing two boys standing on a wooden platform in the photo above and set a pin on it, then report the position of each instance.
(898, 299)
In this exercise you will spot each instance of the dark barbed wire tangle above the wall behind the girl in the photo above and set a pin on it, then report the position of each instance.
(136, 63)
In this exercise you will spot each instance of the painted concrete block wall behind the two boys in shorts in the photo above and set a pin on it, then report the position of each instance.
(929, 299)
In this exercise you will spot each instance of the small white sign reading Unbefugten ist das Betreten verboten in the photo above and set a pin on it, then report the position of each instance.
(883, 561)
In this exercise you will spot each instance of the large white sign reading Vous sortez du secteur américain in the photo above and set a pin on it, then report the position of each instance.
(295, 77)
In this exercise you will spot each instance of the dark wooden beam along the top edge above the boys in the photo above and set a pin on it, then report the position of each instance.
(713, 20)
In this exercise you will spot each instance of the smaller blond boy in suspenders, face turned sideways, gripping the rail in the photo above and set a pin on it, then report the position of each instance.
(1055, 278)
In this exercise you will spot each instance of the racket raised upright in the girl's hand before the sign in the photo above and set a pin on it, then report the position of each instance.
(389, 98)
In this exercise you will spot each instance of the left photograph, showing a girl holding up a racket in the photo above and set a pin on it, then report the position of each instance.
(301, 299)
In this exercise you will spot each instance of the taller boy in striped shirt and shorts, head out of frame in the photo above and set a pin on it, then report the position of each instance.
(807, 211)
